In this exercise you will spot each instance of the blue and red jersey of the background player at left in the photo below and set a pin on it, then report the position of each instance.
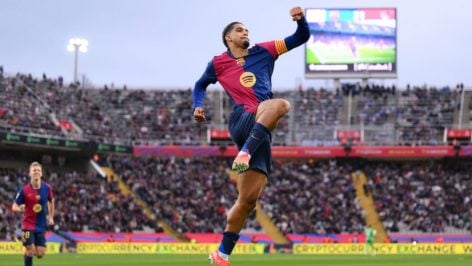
(36, 206)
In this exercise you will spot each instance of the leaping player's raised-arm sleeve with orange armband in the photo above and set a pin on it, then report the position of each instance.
(278, 47)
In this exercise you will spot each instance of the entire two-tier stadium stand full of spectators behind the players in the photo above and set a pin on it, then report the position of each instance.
(306, 199)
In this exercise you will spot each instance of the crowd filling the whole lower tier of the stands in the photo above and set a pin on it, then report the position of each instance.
(302, 196)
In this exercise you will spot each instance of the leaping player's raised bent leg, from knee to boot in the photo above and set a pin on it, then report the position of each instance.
(267, 117)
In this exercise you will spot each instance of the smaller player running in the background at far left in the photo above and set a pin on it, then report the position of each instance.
(36, 201)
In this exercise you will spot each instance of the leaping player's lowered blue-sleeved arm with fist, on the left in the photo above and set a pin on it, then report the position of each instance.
(199, 91)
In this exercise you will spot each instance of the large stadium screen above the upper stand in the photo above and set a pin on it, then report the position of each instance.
(351, 43)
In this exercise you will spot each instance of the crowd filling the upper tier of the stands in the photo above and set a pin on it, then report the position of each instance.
(416, 115)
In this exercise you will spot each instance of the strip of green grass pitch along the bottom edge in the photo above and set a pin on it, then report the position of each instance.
(242, 260)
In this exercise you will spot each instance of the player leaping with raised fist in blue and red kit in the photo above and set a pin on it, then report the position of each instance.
(245, 74)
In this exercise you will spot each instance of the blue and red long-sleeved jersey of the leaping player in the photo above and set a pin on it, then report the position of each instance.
(248, 79)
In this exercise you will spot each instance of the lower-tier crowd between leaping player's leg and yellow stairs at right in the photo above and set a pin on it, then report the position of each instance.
(312, 197)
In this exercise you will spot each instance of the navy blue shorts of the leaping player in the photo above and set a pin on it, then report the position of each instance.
(240, 125)
